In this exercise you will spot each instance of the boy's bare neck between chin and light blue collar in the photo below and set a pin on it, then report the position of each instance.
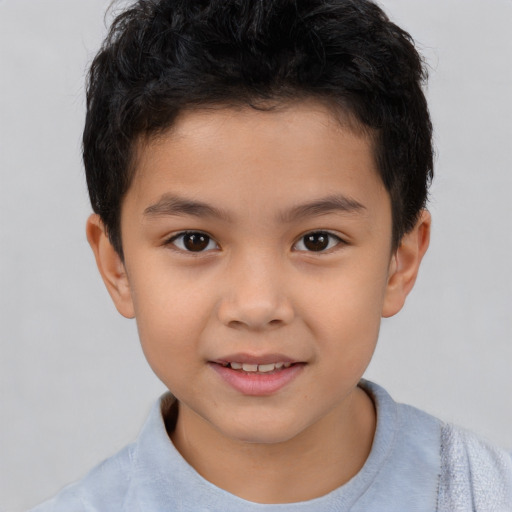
(318, 460)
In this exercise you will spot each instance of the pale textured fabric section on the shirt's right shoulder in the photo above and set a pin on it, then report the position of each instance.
(474, 474)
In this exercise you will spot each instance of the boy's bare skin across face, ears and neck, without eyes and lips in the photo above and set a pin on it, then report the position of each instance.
(257, 289)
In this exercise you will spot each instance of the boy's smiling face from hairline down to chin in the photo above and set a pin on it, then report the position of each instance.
(258, 238)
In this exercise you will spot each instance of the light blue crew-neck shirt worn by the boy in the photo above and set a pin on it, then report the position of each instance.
(416, 464)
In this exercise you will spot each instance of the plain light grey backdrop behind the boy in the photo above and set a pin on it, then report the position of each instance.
(75, 387)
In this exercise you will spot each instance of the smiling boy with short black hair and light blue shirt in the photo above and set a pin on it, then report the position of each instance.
(259, 173)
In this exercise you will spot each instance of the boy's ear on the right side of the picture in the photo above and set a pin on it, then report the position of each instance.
(404, 265)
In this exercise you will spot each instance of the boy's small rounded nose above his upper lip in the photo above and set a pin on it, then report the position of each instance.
(254, 294)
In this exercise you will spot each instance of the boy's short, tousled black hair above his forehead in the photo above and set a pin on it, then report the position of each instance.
(164, 56)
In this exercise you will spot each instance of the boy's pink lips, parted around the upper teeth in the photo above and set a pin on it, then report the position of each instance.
(253, 383)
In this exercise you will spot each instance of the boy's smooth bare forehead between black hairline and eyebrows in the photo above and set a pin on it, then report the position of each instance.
(249, 158)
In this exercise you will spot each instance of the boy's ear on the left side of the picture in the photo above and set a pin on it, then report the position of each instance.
(110, 265)
